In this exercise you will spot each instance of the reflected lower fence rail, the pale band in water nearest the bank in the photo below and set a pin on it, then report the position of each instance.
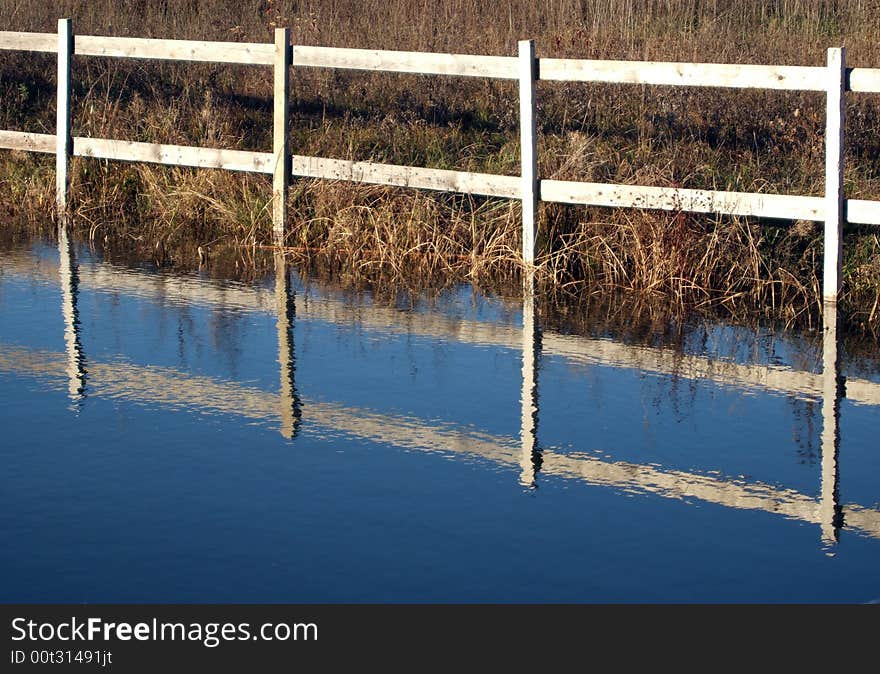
(575, 350)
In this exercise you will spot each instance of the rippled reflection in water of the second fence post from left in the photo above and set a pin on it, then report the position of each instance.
(285, 307)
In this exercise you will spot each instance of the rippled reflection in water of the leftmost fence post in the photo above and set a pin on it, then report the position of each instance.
(68, 272)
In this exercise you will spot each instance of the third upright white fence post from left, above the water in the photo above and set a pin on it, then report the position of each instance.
(529, 146)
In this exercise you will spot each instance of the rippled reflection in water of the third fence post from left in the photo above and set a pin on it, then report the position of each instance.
(530, 459)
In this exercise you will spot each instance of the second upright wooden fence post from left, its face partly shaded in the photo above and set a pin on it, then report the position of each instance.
(281, 137)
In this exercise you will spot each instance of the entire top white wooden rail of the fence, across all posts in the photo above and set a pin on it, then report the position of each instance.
(738, 76)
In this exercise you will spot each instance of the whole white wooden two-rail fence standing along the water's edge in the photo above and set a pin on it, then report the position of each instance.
(834, 79)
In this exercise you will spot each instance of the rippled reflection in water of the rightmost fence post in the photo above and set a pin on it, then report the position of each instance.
(830, 513)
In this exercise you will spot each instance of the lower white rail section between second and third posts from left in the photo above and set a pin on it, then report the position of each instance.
(407, 176)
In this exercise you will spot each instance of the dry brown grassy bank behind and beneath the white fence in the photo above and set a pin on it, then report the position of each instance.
(733, 140)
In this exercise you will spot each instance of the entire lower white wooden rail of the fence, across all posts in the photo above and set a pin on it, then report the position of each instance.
(609, 195)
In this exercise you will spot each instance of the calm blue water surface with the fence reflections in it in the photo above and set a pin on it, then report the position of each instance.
(178, 439)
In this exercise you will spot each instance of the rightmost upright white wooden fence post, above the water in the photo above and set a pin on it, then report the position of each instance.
(835, 82)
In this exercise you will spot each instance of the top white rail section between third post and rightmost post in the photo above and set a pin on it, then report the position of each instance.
(802, 78)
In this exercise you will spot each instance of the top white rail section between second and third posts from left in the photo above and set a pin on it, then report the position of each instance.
(503, 67)
